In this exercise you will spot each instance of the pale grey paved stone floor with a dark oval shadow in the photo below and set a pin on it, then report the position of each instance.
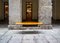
(36, 36)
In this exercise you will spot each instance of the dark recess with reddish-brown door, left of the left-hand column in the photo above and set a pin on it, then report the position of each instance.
(4, 13)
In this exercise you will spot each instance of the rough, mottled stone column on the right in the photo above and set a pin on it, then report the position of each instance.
(45, 13)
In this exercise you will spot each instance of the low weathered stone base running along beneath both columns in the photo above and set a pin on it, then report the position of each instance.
(19, 27)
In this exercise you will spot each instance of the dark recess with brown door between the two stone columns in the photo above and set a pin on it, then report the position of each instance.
(30, 11)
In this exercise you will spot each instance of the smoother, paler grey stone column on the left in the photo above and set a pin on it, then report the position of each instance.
(15, 12)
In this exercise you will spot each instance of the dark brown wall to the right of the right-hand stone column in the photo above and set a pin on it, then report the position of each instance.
(56, 9)
